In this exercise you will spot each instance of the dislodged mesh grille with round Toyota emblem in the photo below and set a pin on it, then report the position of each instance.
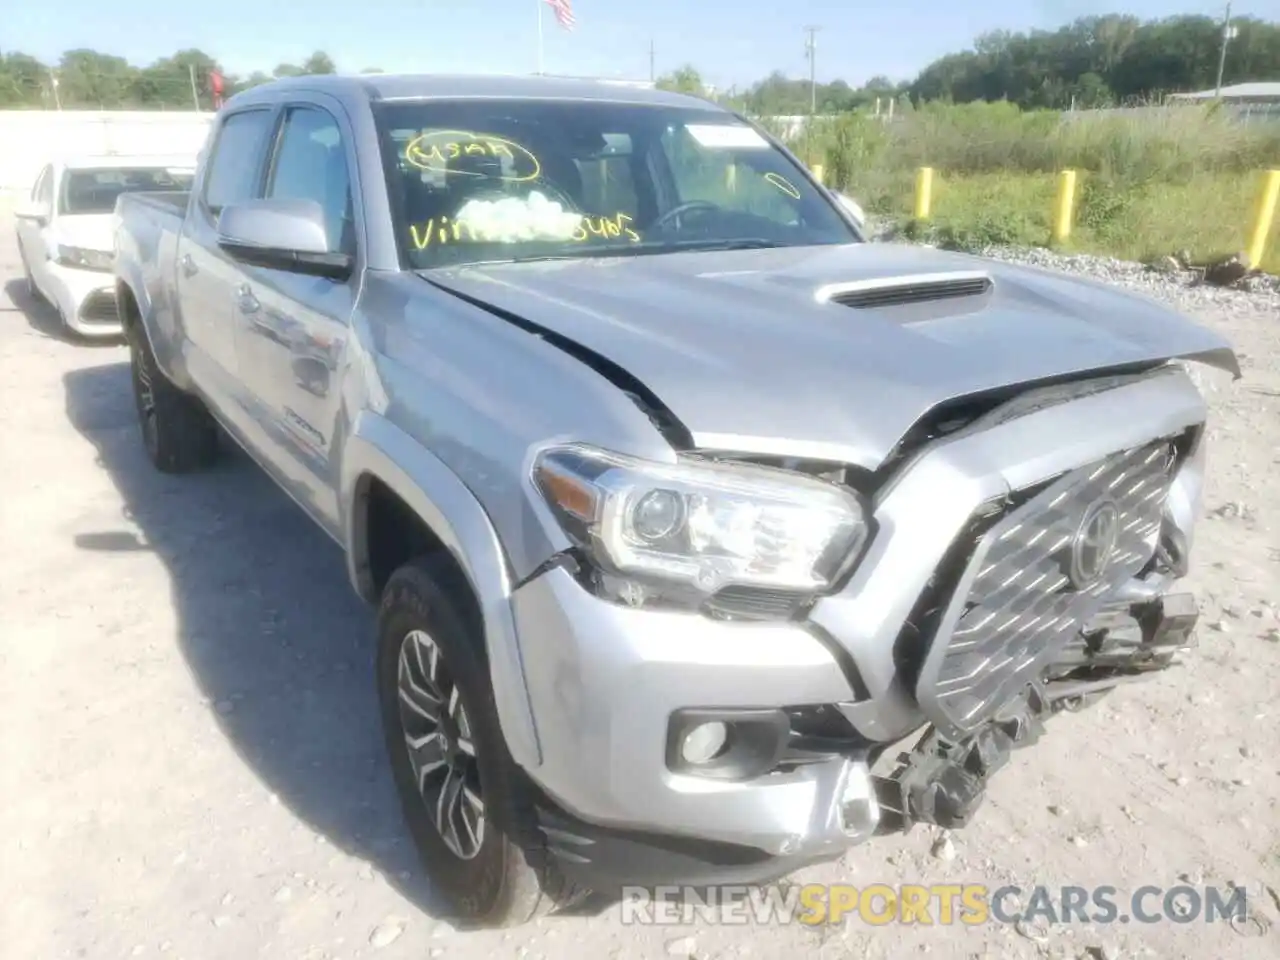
(1027, 588)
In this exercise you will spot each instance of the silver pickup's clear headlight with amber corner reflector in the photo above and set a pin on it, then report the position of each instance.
(684, 532)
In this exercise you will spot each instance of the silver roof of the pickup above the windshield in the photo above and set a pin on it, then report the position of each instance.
(390, 86)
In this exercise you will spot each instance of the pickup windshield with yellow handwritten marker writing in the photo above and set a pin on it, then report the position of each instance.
(525, 180)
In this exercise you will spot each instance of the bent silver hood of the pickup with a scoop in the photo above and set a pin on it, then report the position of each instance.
(738, 346)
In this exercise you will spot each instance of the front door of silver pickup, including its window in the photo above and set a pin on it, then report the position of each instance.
(292, 330)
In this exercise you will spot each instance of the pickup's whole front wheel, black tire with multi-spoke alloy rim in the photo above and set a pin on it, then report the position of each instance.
(465, 801)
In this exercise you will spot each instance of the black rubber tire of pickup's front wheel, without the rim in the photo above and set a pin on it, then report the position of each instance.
(510, 881)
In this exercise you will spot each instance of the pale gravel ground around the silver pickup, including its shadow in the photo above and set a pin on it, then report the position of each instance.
(191, 766)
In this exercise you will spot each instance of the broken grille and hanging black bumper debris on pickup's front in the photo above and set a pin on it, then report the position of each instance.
(1057, 597)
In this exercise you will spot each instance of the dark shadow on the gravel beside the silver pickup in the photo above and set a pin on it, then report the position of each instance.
(268, 624)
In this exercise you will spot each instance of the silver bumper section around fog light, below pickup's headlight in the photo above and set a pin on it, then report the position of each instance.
(606, 682)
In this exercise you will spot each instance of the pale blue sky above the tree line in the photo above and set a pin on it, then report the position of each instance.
(730, 42)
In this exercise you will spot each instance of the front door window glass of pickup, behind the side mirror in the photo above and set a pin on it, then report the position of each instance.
(312, 164)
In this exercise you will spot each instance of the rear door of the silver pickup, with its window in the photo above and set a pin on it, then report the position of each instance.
(207, 278)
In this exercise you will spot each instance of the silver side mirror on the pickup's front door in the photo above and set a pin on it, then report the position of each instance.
(282, 235)
